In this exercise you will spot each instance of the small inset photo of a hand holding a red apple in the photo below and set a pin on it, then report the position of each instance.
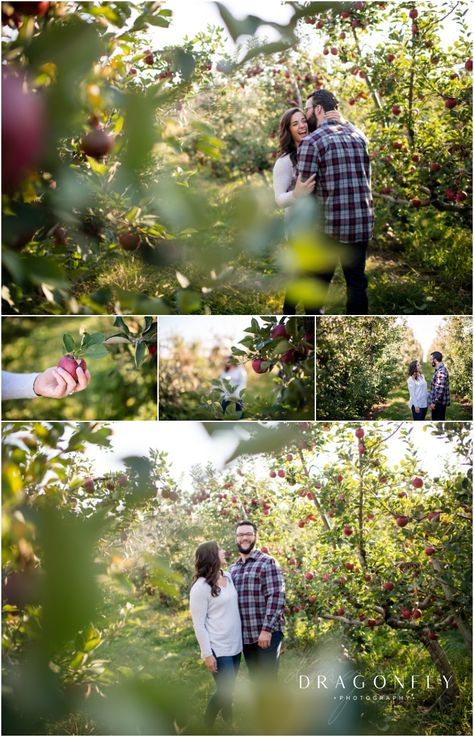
(79, 368)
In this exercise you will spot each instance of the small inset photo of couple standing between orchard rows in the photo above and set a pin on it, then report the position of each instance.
(394, 368)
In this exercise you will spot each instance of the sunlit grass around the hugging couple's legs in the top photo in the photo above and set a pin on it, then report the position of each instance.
(247, 277)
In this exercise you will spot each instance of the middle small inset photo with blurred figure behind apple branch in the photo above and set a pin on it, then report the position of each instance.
(236, 368)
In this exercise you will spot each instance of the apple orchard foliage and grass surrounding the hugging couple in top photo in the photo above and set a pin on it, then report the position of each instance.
(138, 178)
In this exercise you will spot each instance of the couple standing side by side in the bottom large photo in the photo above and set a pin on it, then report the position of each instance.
(235, 612)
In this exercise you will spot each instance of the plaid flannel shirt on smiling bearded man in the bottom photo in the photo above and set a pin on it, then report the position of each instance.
(261, 590)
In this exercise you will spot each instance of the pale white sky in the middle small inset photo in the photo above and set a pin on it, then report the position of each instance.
(224, 329)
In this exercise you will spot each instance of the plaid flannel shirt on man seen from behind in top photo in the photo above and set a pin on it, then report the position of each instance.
(338, 155)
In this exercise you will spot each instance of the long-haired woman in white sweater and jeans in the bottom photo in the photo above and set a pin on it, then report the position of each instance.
(216, 620)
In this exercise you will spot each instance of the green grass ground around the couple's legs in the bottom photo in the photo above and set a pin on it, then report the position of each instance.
(159, 646)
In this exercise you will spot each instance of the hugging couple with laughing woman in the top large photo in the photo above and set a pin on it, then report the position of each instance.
(327, 158)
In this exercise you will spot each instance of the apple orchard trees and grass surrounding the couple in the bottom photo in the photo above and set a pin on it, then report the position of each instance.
(377, 559)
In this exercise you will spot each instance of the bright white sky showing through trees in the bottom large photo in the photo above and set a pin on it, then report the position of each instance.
(188, 444)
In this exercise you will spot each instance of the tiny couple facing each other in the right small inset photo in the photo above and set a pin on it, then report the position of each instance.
(438, 397)
